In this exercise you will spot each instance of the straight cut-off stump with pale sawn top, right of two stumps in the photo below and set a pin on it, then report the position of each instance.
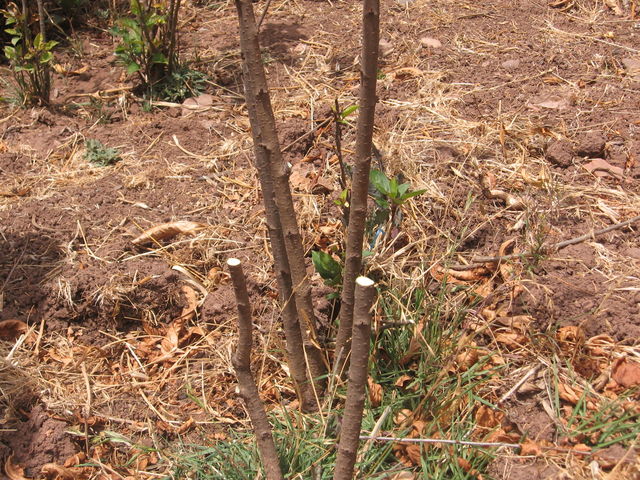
(354, 404)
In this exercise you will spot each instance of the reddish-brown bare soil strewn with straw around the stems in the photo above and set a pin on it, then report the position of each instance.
(122, 337)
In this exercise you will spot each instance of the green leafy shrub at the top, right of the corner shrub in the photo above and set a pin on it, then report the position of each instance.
(149, 40)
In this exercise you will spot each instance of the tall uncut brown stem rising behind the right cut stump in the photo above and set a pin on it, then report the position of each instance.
(360, 183)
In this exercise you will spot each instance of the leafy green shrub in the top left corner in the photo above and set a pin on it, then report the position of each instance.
(30, 56)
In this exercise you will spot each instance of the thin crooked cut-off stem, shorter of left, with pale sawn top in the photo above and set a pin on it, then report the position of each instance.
(246, 382)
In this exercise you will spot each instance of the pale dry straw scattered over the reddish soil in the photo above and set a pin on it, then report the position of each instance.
(160, 386)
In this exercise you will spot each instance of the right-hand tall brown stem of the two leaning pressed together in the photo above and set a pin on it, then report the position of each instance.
(269, 161)
